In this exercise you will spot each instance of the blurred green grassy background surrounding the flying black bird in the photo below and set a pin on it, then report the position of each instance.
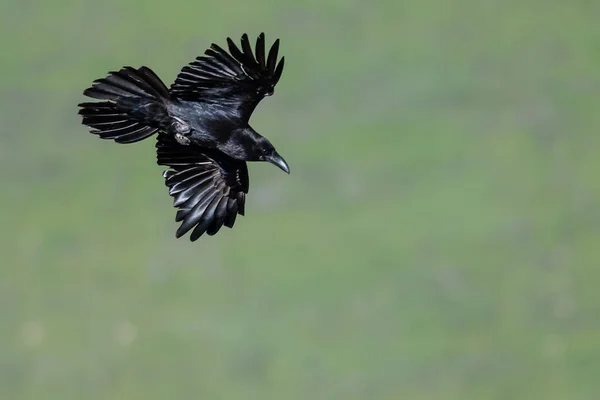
(438, 237)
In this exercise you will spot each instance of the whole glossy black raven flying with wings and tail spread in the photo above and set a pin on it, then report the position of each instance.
(202, 123)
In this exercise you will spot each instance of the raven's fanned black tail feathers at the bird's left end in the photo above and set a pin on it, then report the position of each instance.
(136, 104)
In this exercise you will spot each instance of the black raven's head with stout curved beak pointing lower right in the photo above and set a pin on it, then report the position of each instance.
(248, 145)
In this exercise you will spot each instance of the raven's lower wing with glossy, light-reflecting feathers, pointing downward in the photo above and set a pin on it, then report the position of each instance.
(208, 187)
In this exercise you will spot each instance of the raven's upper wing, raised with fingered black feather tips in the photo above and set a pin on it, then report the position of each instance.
(238, 79)
